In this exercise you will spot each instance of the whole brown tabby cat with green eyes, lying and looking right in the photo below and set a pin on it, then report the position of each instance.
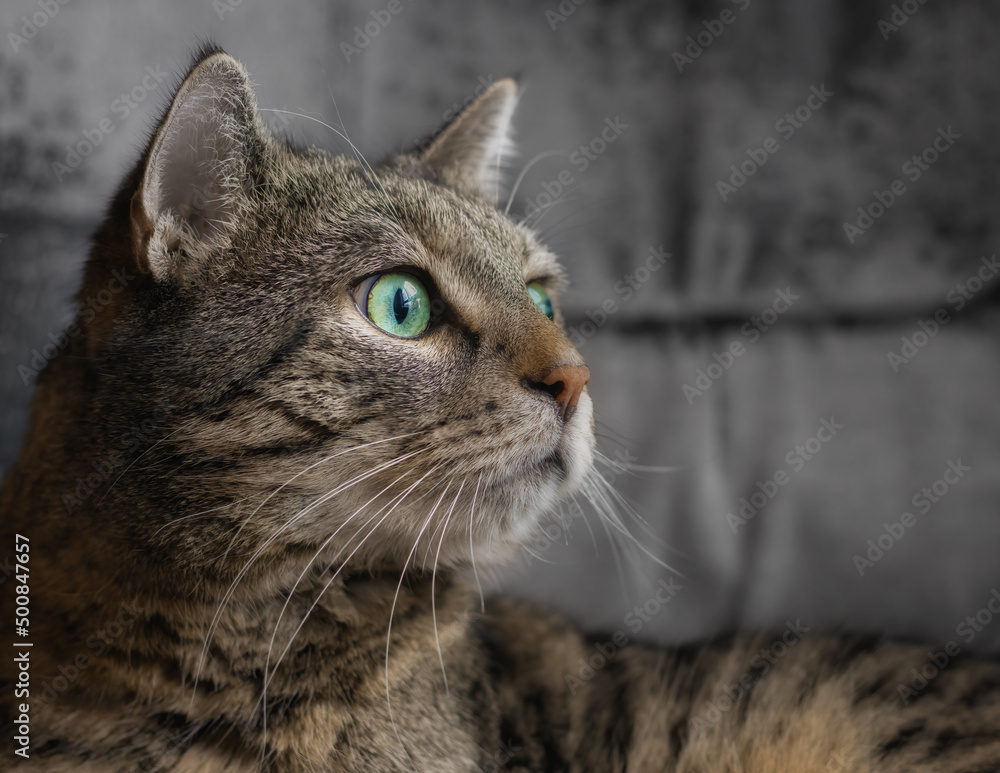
(312, 395)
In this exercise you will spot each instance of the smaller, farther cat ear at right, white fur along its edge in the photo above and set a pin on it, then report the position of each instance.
(468, 153)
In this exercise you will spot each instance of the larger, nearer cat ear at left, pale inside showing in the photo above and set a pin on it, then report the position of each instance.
(198, 171)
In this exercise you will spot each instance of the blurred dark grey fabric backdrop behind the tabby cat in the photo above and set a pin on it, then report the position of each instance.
(739, 137)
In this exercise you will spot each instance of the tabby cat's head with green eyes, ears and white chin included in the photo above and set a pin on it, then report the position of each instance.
(336, 358)
